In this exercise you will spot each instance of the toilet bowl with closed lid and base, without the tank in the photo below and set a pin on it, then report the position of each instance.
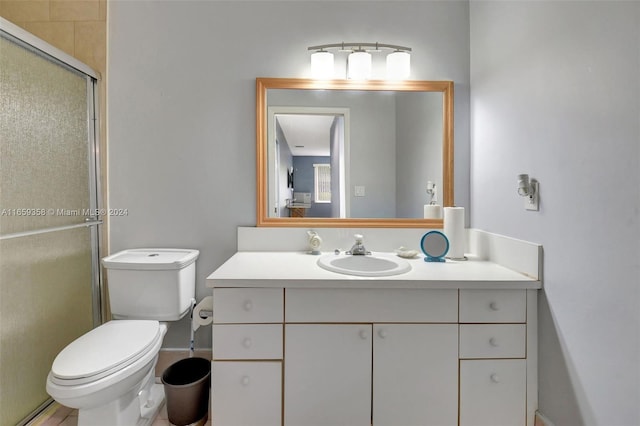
(108, 373)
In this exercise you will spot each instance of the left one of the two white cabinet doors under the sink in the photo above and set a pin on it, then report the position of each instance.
(327, 375)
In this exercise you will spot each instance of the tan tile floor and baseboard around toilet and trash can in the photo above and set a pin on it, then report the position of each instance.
(58, 415)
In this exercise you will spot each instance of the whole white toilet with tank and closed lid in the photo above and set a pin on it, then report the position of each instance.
(108, 373)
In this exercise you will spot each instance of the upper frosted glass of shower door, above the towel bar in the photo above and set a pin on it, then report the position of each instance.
(44, 173)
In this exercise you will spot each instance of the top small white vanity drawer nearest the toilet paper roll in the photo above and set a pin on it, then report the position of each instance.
(247, 305)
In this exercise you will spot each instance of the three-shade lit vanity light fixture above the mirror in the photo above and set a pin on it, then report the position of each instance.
(359, 60)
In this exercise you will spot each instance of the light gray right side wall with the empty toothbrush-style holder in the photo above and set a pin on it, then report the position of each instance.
(556, 94)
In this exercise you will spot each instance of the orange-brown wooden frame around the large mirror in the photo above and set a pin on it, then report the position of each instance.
(264, 84)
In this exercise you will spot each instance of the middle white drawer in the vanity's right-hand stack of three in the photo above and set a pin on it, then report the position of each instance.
(492, 340)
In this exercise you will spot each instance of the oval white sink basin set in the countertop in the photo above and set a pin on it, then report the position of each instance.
(375, 265)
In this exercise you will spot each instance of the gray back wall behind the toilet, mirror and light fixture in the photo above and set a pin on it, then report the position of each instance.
(181, 111)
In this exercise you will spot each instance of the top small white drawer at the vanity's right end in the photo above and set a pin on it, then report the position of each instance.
(493, 306)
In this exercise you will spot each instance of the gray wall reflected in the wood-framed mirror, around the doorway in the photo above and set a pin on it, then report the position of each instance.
(395, 147)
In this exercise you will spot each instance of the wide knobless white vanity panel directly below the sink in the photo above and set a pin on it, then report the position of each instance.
(371, 305)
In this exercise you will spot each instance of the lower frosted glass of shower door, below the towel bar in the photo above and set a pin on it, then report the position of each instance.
(45, 303)
